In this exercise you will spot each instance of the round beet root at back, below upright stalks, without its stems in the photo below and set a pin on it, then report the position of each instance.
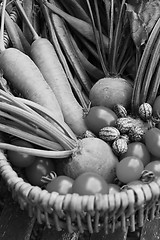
(111, 91)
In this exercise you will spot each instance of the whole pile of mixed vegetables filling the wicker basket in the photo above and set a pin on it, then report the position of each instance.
(79, 97)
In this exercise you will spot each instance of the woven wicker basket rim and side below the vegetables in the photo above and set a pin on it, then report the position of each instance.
(128, 208)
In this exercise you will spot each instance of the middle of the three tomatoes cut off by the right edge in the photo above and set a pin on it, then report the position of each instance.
(152, 141)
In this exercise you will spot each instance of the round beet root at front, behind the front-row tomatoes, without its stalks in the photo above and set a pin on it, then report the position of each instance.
(92, 155)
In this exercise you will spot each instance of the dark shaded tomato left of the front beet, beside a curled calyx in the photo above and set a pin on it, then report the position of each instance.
(40, 167)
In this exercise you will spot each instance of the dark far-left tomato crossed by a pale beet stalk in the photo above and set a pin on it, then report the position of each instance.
(19, 159)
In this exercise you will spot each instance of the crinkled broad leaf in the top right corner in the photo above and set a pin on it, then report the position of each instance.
(143, 15)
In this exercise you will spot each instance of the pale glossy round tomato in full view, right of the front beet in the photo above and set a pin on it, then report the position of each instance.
(129, 169)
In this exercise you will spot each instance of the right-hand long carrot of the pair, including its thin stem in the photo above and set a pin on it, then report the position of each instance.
(45, 56)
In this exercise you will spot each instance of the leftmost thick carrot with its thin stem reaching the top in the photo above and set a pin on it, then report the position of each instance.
(25, 76)
